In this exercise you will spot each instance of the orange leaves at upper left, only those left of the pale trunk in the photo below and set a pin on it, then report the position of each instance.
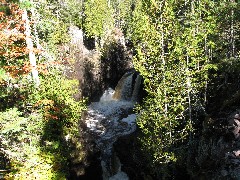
(12, 38)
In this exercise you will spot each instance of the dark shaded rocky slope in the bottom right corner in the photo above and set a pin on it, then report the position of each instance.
(216, 154)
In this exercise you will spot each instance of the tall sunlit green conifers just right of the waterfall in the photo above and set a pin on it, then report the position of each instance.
(171, 38)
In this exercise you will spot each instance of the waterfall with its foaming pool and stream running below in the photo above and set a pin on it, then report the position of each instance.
(111, 118)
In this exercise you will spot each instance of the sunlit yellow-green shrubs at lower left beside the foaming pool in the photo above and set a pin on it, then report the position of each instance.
(41, 136)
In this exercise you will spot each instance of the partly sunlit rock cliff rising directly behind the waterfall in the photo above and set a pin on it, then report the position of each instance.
(95, 72)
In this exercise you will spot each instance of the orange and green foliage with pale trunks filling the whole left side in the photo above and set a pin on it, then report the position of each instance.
(35, 116)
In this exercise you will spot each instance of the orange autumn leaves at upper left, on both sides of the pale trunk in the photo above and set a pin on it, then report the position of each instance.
(13, 49)
